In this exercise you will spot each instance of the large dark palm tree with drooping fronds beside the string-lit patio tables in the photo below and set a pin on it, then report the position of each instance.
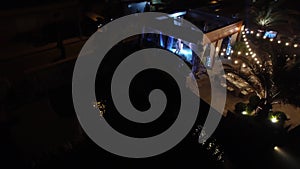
(277, 81)
